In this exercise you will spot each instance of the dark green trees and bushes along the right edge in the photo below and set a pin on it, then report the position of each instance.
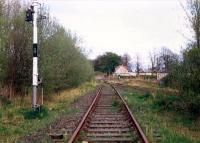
(184, 71)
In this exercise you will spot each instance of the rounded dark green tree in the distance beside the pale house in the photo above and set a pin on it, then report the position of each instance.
(107, 62)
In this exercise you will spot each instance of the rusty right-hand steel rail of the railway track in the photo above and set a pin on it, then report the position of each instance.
(136, 124)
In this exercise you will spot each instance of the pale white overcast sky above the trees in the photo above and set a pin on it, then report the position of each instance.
(135, 27)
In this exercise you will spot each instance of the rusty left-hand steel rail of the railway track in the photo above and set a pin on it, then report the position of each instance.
(76, 132)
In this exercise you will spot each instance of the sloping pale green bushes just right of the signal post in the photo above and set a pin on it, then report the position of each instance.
(62, 63)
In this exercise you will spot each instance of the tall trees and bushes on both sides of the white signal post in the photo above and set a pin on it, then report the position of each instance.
(61, 62)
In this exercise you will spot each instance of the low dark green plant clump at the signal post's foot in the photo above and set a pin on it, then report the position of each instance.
(33, 114)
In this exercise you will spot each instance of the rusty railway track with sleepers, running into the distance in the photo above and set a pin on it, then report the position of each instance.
(108, 119)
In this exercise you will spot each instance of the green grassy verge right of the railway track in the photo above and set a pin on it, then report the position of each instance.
(162, 125)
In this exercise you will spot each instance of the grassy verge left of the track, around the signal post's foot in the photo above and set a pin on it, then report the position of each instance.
(18, 120)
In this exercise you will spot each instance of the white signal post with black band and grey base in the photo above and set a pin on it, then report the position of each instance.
(35, 55)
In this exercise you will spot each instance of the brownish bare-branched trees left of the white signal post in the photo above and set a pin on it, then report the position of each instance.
(15, 50)
